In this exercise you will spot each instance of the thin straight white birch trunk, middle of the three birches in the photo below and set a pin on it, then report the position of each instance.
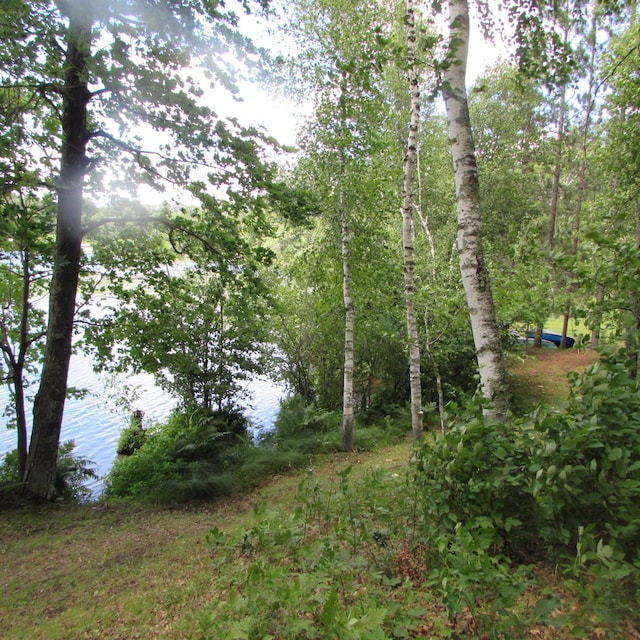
(408, 229)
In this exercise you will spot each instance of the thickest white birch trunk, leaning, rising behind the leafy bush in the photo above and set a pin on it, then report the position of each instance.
(472, 265)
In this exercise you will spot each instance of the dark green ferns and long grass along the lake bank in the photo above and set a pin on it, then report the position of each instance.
(202, 453)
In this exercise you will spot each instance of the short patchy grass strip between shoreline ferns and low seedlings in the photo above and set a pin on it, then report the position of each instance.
(108, 572)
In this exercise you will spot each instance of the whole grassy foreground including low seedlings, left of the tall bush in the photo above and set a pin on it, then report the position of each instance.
(336, 545)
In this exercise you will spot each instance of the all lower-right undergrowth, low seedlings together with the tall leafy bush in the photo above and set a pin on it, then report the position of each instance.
(454, 548)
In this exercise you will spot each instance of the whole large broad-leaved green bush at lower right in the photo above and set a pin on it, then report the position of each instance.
(563, 479)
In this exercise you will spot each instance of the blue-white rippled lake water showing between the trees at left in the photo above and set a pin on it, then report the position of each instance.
(94, 421)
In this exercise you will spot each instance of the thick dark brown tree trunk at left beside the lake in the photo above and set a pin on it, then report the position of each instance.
(49, 402)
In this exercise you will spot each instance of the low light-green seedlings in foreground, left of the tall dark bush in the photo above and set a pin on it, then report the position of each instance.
(339, 565)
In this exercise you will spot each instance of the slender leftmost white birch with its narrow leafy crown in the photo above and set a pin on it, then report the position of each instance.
(339, 60)
